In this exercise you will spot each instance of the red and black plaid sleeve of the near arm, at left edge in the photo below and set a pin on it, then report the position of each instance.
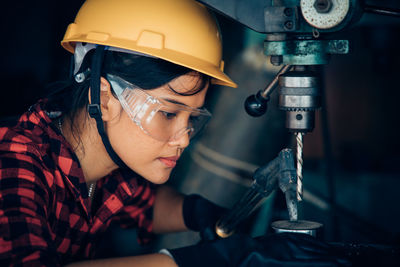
(25, 237)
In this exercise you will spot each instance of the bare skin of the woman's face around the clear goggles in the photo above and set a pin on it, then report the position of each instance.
(147, 156)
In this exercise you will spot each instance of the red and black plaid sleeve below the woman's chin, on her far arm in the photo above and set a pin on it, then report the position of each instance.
(138, 212)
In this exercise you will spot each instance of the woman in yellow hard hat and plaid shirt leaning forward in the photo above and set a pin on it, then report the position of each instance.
(92, 152)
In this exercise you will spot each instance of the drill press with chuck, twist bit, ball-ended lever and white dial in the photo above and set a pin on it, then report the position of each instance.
(298, 37)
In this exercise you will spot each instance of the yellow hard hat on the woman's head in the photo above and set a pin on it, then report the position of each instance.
(179, 31)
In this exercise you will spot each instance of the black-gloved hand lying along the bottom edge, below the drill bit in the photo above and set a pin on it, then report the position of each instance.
(285, 249)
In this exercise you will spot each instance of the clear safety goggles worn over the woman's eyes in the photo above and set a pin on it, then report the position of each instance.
(159, 118)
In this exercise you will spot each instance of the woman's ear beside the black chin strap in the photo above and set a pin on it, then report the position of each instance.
(109, 104)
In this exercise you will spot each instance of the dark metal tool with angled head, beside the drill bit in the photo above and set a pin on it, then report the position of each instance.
(280, 172)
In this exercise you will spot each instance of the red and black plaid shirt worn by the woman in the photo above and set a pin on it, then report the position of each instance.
(46, 217)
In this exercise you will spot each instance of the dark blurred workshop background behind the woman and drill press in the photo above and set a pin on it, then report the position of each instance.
(352, 161)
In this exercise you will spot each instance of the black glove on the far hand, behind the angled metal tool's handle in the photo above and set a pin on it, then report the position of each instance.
(201, 215)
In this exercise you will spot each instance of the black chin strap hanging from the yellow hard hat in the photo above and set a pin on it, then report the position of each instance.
(94, 106)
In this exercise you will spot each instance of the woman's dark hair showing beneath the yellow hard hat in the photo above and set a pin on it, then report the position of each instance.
(70, 97)
